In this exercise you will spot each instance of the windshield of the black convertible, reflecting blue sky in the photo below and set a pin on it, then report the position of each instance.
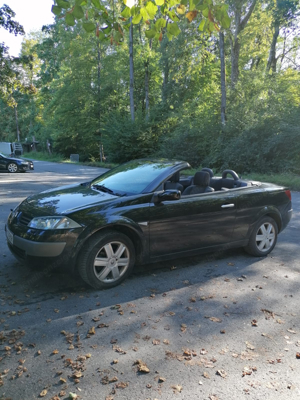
(132, 177)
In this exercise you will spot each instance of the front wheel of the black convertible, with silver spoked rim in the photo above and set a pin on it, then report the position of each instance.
(116, 258)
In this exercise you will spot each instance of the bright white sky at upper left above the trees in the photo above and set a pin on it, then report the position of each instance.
(32, 15)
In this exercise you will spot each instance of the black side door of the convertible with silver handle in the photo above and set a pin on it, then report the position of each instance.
(191, 223)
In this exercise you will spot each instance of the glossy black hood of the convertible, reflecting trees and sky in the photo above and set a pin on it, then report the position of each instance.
(64, 200)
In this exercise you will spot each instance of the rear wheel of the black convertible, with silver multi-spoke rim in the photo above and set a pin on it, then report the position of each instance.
(263, 238)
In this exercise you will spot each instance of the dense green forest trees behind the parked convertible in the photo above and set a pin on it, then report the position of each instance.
(224, 98)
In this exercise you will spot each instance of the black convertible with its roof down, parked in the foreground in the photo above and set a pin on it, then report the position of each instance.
(145, 211)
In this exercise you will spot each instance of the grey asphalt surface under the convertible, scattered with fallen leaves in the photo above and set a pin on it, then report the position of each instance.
(219, 326)
